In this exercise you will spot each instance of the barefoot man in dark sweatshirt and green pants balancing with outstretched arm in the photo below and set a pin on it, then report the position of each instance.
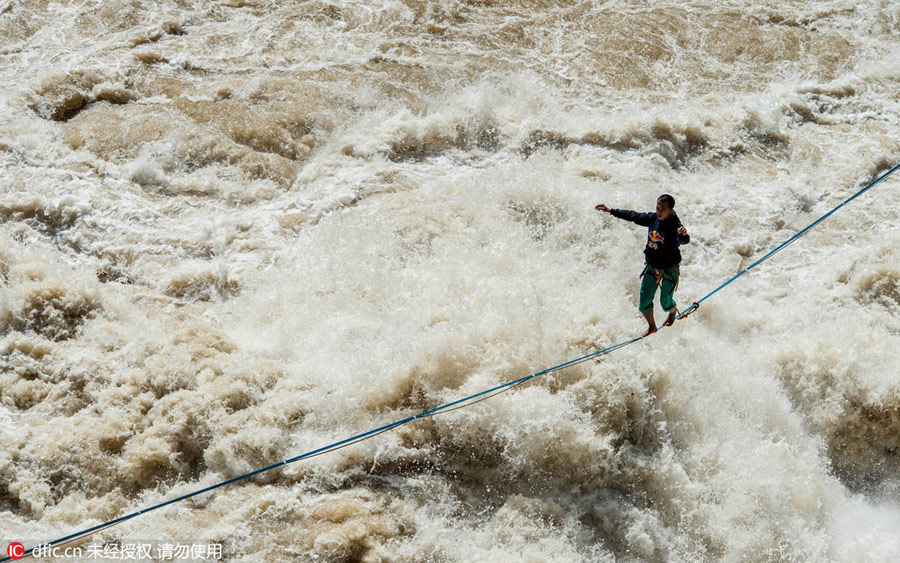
(665, 234)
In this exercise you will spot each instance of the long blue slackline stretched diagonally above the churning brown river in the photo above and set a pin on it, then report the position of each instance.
(458, 404)
